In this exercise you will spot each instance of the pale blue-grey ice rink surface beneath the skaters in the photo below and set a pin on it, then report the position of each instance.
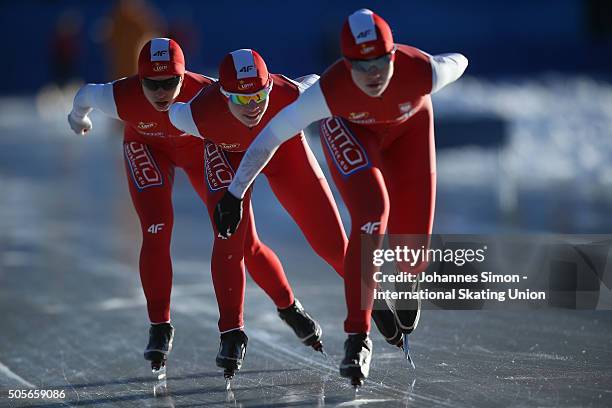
(74, 316)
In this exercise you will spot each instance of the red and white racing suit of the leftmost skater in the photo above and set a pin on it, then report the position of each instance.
(153, 149)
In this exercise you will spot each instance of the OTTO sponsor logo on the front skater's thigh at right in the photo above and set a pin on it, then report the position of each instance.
(346, 152)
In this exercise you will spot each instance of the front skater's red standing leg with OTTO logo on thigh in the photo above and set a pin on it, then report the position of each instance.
(363, 190)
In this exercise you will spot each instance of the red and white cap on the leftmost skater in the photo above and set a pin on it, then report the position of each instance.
(161, 56)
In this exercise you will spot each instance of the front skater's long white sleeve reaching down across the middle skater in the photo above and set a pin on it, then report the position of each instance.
(309, 107)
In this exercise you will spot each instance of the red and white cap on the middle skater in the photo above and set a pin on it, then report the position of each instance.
(243, 71)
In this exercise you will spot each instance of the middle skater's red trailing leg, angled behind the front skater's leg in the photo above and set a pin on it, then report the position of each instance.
(300, 186)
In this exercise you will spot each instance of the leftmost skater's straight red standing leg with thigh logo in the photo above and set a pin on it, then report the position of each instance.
(150, 182)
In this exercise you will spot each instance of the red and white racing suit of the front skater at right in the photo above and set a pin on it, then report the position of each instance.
(381, 153)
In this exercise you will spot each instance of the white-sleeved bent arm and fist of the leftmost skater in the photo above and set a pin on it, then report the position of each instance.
(89, 97)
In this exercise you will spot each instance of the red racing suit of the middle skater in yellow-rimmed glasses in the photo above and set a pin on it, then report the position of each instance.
(294, 176)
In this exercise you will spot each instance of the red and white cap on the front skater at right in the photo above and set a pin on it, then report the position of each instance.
(365, 35)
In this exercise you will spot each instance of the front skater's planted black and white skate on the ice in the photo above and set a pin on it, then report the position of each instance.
(357, 356)
